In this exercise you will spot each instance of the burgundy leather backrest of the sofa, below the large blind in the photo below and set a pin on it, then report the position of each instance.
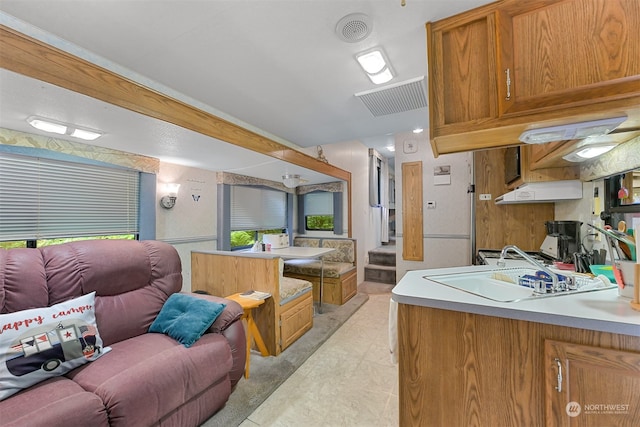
(132, 280)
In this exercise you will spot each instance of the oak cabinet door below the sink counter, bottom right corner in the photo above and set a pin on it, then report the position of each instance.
(591, 386)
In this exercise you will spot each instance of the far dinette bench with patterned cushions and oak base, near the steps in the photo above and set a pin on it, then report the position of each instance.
(338, 268)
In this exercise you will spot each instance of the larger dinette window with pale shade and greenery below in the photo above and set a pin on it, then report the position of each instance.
(254, 212)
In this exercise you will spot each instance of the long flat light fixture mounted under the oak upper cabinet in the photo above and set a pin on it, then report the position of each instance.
(571, 131)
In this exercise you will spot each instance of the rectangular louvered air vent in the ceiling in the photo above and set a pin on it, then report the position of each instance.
(396, 98)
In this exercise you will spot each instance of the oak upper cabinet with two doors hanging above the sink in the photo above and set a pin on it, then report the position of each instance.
(502, 68)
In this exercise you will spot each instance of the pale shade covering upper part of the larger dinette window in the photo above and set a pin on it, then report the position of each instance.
(257, 209)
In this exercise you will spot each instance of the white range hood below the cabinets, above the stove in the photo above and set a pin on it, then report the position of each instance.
(543, 192)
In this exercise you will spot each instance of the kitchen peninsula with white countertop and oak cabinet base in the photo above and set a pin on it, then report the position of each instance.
(467, 360)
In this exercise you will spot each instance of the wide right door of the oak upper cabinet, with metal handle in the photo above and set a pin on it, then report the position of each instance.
(567, 53)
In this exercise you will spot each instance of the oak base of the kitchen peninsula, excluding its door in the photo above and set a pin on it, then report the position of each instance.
(462, 369)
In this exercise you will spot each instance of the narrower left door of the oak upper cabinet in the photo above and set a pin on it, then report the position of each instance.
(461, 59)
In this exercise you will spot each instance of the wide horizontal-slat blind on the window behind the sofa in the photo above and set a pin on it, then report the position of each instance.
(47, 198)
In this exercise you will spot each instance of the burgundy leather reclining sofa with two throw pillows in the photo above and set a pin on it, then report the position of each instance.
(146, 379)
